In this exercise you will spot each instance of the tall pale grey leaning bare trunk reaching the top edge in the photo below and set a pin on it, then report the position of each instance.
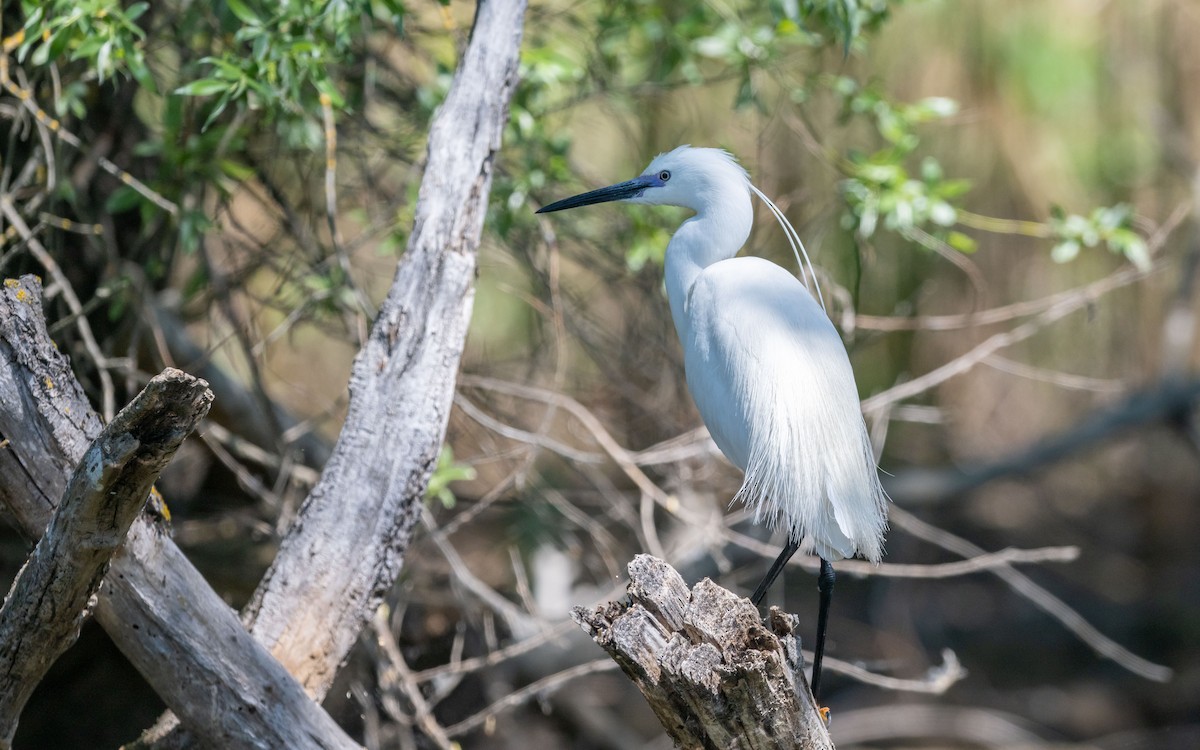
(349, 542)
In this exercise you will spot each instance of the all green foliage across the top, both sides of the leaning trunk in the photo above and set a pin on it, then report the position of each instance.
(235, 68)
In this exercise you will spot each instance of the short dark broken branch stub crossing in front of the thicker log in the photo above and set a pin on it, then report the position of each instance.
(50, 599)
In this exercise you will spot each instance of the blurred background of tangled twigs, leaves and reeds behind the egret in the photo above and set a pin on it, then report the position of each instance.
(1000, 199)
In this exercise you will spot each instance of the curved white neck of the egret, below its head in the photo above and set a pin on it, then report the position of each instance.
(709, 237)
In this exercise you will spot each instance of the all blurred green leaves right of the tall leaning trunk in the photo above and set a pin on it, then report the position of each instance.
(890, 185)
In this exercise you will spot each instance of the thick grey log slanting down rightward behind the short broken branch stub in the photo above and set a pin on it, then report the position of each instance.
(188, 644)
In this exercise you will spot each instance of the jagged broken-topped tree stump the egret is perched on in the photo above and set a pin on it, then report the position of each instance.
(715, 675)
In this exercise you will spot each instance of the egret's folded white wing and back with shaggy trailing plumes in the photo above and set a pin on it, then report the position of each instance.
(772, 381)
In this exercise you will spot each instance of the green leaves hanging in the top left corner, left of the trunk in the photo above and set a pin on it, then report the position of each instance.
(280, 62)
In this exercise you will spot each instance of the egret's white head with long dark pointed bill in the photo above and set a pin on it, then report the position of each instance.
(689, 178)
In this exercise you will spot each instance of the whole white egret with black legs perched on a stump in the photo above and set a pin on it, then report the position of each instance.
(766, 368)
